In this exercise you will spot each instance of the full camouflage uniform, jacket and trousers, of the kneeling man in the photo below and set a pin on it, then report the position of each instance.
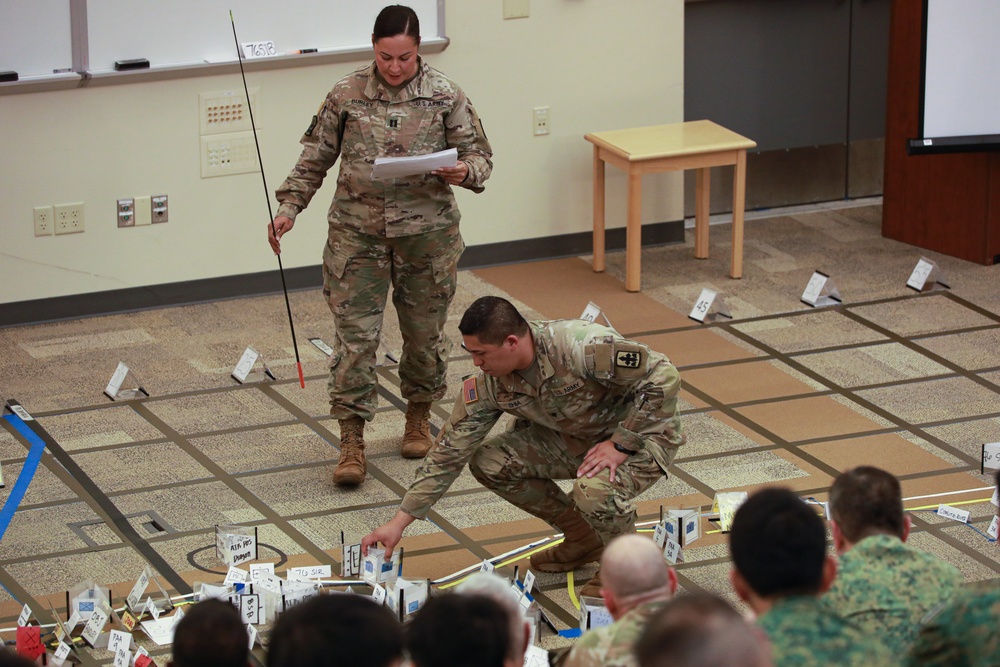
(593, 385)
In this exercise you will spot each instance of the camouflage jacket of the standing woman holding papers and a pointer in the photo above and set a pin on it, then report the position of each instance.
(361, 120)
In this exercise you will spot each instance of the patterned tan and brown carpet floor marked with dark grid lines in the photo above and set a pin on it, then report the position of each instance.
(781, 394)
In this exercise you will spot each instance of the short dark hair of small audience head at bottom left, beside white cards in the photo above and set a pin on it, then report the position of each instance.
(211, 634)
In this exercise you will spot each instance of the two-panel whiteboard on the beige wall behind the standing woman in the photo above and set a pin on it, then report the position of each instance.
(36, 35)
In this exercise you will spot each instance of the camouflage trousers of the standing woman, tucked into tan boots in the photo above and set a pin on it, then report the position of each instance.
(357, 271)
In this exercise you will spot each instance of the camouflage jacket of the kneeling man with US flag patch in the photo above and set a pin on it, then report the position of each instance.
(593, 386)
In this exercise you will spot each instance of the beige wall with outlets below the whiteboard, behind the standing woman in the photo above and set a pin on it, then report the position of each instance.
(599, 65)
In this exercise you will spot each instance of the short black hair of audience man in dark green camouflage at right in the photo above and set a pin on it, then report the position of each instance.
(778, 544)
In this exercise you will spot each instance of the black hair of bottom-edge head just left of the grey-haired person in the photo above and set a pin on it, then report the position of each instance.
(453, 630)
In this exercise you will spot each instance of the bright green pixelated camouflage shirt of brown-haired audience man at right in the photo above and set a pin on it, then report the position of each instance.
(885, 587)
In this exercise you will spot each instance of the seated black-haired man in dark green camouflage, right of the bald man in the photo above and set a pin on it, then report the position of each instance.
(778, 548)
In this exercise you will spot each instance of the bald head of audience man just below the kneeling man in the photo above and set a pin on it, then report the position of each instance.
(634, 571)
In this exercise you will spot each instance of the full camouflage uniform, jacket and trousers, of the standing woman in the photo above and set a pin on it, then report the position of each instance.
(403, 230)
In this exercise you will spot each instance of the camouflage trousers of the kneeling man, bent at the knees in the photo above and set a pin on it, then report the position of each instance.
(520, 466)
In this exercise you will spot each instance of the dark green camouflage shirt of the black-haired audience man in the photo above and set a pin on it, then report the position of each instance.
(804, 633)
